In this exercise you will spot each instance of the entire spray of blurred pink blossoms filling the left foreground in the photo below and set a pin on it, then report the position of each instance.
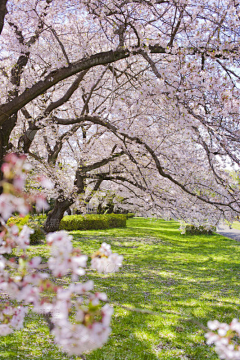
(74, 314)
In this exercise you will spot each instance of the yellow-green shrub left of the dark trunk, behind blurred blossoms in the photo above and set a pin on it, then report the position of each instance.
(34, 222)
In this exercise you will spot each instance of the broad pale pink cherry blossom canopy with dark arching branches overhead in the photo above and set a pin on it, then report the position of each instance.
(161, 77)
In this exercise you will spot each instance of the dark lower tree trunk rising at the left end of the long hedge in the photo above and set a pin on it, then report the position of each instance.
(55, 216)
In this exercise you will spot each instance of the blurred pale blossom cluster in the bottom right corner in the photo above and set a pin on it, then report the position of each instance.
(224, 338)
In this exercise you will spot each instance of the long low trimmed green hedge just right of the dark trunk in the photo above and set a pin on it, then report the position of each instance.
(92, 222)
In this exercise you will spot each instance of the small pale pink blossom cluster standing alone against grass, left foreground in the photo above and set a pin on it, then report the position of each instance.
(104, 261)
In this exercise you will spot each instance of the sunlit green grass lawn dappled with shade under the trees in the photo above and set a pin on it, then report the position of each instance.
(184, 280)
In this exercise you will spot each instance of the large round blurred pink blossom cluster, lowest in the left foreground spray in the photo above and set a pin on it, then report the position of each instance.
(84, 333)
